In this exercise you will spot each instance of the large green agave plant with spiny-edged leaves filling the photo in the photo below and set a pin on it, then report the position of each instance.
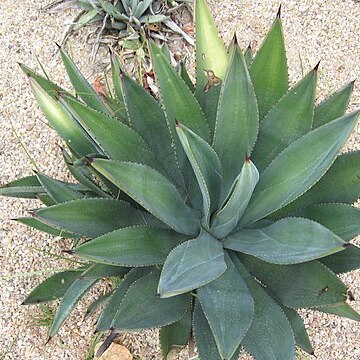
(223, 209)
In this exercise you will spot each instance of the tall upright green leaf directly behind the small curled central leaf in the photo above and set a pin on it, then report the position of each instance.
(237, 120)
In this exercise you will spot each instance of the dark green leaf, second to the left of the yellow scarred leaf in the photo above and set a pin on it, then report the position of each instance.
(148, 119)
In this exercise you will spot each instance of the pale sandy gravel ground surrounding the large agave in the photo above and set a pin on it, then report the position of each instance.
(315, 30)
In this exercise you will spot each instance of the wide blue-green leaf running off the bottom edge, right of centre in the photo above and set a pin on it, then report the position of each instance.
(270, 336)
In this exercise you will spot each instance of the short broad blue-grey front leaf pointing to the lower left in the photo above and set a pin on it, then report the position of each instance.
(192, 264)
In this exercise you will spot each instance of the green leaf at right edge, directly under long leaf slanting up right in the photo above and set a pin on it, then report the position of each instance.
(340, 184)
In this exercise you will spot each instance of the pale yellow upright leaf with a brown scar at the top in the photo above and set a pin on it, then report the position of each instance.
(211, 62)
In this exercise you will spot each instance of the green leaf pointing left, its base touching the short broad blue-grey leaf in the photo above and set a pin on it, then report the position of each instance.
(131, 246)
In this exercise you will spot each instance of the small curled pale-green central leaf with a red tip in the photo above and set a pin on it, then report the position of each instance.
(225, 220)
